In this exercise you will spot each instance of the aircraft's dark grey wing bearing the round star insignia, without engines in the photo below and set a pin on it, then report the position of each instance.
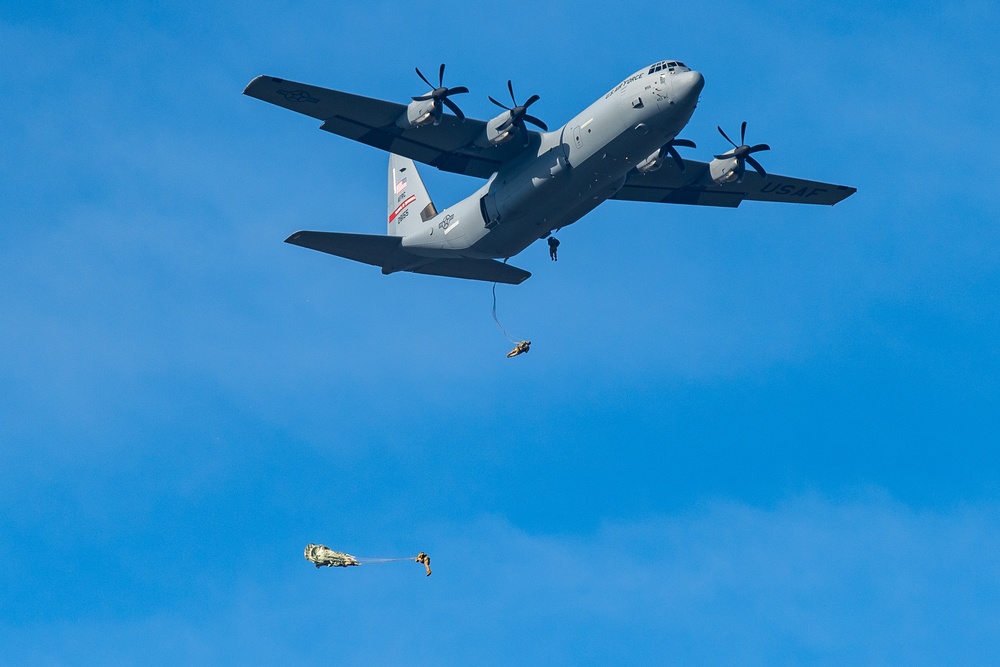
(449, 146)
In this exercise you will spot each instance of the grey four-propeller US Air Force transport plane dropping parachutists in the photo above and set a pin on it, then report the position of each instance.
(623, 146)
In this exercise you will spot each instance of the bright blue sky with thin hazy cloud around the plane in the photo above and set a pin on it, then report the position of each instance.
(753, 436)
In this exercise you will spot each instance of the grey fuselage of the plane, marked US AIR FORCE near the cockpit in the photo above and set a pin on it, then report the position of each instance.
(563, 175)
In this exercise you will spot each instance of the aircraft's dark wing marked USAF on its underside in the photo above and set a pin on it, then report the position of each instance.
(670, 185)
